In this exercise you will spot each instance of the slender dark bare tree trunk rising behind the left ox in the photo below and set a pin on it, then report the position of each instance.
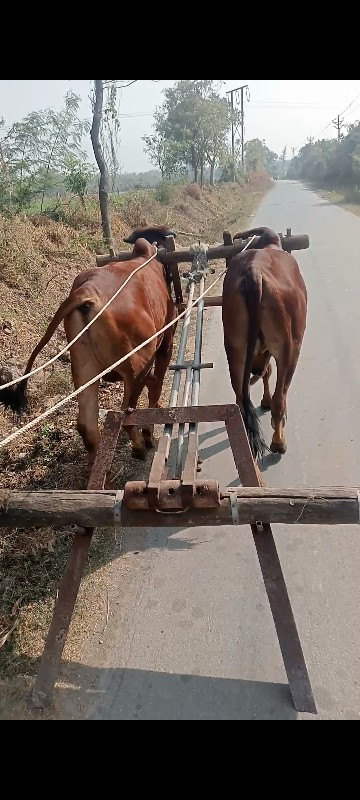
(100, 160)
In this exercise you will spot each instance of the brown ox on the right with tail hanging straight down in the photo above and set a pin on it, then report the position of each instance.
(264, 315)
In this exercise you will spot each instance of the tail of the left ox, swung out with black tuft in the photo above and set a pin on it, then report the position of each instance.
(15, 397)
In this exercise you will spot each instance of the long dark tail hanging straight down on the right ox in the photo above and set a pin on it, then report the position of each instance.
(252, 293)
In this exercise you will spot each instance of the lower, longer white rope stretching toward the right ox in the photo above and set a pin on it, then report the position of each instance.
(72, 396)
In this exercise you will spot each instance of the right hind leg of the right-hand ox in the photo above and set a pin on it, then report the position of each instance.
(286, 366)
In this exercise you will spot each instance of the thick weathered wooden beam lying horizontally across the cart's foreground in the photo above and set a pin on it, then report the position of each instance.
(89, 509)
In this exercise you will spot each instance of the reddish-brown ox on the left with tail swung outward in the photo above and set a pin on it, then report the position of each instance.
(141, 309)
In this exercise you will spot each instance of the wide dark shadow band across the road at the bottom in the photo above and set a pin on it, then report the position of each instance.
(131, 694)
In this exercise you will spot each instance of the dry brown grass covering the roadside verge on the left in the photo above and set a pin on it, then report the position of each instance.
(39, 259)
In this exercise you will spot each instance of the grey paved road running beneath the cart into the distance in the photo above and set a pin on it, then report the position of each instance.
(193, 637)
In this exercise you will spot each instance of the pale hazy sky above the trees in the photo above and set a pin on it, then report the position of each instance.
(284, 113)
